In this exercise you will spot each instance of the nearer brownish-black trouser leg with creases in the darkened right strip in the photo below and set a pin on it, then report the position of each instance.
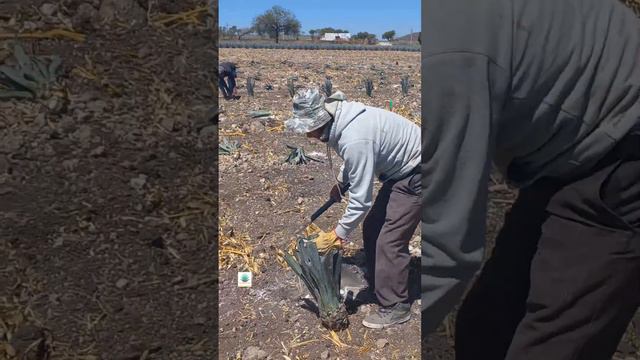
(584, 277)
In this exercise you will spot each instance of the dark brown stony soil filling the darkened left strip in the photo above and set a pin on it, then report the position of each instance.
(107, 203)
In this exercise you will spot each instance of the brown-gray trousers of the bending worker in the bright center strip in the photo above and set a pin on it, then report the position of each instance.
(399, 213)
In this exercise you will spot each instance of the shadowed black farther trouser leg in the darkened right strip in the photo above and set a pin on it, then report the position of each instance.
(495, 304)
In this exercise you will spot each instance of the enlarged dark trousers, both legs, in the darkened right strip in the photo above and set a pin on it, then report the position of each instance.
(563, 281)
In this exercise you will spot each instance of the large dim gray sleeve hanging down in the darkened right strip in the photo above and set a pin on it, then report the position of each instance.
(461, 97)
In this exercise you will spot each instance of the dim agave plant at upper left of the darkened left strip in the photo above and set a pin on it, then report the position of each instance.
(32, 77)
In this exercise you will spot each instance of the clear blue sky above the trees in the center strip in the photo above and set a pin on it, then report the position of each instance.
(354, 15)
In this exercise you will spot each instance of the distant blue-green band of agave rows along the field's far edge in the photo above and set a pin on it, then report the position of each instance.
(315, 46)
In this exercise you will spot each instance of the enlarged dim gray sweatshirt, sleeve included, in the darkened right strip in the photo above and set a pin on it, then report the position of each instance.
(542, 88)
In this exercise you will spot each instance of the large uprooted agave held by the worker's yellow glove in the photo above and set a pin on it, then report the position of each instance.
(321, 274)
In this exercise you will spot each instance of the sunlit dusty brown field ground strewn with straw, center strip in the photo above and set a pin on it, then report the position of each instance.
(265, 201)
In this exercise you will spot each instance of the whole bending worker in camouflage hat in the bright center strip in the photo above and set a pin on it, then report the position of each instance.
(372, 142)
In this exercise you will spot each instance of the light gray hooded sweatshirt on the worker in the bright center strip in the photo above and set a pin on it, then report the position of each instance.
(373, 143)
